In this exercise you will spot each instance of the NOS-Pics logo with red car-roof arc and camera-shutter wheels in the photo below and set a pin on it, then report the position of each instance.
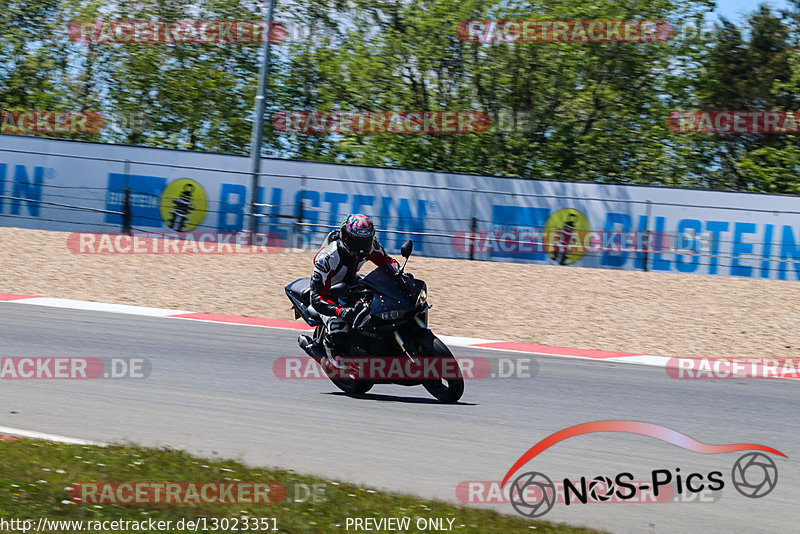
(533, 494)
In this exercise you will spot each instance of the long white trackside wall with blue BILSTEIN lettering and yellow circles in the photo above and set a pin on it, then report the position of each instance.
(76, 186)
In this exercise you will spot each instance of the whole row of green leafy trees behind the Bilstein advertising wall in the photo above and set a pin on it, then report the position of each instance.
(563, 111)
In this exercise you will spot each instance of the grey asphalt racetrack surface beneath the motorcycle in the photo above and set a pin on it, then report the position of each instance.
(212, 391)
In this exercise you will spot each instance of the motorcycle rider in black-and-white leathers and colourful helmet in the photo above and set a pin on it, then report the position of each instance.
(343, 253)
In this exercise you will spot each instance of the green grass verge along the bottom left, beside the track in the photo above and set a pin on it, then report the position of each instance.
(35, 475)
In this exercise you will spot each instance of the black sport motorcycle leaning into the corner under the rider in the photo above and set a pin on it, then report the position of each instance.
(391, 325)
